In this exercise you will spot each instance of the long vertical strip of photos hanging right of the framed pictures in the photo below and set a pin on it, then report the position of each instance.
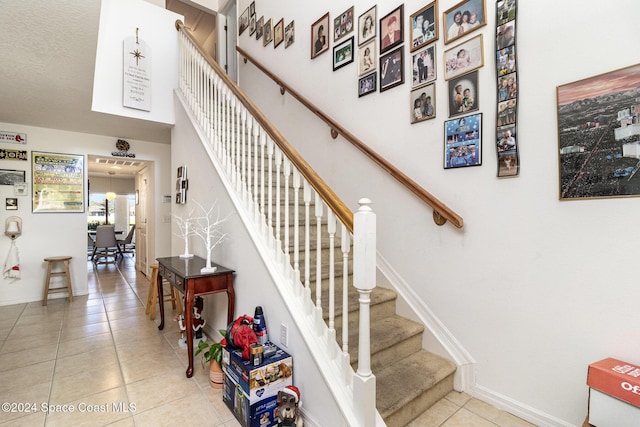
(506, 65)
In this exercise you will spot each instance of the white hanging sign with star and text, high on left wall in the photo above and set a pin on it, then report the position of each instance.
(136, 74)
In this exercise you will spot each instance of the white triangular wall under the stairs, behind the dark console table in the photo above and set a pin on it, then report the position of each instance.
(252, 283)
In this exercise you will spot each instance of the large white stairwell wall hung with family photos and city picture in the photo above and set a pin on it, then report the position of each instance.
(535, 289)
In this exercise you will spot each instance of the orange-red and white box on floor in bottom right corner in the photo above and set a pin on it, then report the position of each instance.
(614, 394)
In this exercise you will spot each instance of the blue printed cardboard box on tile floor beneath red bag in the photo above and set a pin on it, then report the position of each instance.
(251, 392)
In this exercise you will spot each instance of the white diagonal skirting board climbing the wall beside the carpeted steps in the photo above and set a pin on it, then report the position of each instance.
(465, 374)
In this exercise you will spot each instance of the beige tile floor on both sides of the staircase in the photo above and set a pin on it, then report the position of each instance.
(102, 357)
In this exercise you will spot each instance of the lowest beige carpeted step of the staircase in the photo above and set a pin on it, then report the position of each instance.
(407, 387)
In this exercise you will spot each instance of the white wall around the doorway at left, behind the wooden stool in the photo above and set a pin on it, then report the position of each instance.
(54, 234)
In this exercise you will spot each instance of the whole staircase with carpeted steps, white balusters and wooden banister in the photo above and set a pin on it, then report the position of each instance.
(315, 246)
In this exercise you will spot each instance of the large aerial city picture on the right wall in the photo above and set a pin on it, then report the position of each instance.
(598, 135)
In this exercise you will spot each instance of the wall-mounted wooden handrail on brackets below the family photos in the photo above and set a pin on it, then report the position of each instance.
(441, 213)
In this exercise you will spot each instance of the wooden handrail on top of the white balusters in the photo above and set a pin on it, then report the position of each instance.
(342, 212)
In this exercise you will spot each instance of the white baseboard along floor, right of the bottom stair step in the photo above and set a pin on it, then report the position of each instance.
(516, 408)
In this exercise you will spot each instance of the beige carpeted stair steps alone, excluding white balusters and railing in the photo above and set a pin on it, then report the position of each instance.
(409, 380)
